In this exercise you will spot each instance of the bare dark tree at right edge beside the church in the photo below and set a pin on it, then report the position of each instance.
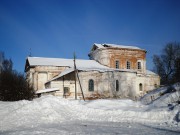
(166, 64)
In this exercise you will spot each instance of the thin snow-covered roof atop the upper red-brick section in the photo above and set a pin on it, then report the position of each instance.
(116, 46)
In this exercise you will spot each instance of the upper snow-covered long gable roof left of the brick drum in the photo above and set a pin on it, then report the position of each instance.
(87, 64)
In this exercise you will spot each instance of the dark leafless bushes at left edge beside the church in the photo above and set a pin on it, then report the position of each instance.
(13, 85)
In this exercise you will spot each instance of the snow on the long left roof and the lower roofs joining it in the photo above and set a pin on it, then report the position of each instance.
(83, 65)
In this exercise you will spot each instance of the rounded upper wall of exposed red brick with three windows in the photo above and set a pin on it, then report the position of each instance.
(108, 56)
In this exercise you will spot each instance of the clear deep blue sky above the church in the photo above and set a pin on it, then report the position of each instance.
(58, 28)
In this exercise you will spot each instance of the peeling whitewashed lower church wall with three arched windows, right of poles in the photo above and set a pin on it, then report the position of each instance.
(105, 84)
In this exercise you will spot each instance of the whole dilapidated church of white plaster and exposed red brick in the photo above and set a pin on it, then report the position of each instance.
(113, 71)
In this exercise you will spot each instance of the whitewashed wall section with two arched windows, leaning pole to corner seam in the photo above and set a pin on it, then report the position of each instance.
(105, 84)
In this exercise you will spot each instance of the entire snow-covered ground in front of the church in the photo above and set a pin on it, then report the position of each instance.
(56, 115)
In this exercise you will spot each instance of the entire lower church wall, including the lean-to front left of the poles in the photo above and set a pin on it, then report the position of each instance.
(105, 84)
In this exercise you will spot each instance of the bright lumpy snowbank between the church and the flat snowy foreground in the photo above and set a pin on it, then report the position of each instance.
(54, 110)
